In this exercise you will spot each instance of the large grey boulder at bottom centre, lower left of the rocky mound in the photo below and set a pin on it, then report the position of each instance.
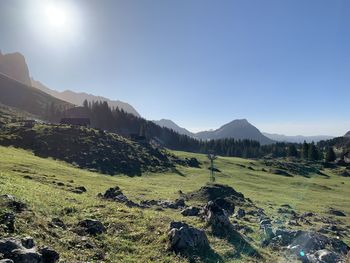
(187, 240)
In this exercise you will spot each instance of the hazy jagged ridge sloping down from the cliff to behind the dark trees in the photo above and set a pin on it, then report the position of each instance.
(78, 98)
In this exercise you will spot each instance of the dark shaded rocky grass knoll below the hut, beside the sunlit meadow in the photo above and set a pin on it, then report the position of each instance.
(87, 148)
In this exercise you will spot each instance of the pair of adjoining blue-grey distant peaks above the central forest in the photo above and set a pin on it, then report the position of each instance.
(237, 129)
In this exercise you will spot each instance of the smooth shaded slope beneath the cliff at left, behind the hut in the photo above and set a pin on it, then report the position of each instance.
(26, 98)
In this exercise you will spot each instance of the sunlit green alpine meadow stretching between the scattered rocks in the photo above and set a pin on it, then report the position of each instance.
(136, 235)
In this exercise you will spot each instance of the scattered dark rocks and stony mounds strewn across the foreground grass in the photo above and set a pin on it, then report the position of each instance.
(224, 212)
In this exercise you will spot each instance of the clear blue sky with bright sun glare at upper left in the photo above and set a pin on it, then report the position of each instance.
(282, 64)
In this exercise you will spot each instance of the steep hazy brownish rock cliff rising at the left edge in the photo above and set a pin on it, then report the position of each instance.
(14, 65)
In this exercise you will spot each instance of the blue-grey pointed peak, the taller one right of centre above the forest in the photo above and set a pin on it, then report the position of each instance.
(237, 129)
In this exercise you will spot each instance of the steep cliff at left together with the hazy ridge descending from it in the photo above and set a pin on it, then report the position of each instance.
(14, 66)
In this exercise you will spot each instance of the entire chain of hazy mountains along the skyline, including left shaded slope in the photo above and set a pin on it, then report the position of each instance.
(16, 89)
